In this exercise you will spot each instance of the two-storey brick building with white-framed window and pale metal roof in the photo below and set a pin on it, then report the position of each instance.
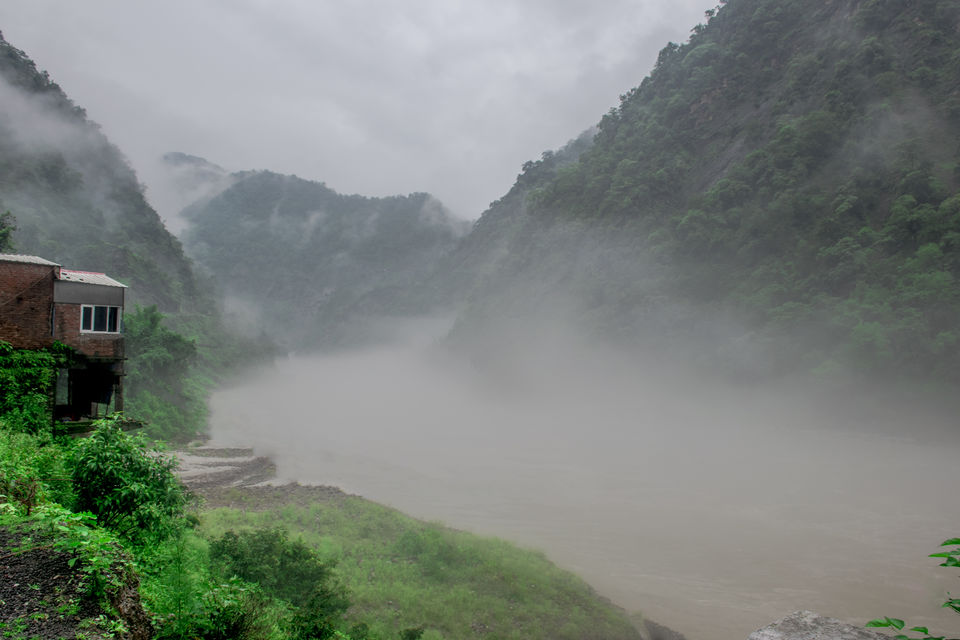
(41, 302)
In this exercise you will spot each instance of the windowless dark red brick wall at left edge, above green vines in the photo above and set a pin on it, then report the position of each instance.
(26, 298)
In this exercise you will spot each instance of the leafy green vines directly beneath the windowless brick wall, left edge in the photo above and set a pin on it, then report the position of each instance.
(27, 377)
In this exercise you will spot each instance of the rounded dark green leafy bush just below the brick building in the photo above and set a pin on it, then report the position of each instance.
(129, 487)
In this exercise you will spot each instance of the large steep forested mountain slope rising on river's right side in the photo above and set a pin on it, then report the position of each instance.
(780, 193)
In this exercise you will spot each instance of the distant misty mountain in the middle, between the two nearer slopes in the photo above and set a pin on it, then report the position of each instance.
(311, 267)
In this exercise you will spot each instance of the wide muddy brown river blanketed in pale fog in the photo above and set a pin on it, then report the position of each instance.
(713, 509)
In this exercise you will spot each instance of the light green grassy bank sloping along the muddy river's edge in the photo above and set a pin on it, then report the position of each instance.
(405, 573)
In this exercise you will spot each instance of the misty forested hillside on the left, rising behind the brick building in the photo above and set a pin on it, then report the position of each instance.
(68, 195)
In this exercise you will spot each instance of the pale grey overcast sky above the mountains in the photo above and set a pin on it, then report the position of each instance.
(370, 96)
